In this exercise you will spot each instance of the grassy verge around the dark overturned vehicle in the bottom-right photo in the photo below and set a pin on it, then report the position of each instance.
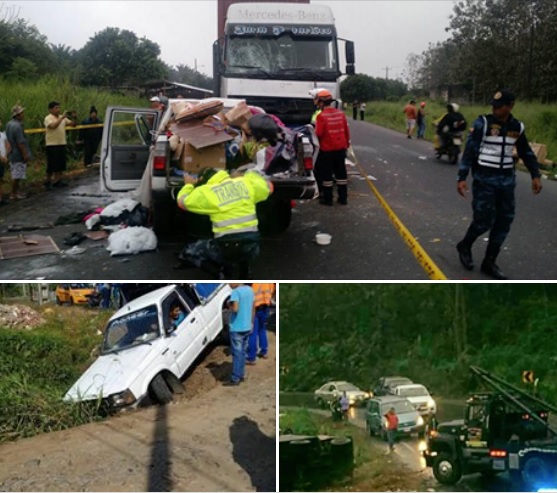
(374, 471)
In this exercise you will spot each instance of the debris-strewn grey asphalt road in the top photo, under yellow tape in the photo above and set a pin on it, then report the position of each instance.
(365, 244)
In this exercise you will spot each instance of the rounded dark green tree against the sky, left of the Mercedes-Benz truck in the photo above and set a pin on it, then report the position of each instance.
(115, 57)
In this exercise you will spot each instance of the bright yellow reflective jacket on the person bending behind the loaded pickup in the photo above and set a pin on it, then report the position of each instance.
(229, 202)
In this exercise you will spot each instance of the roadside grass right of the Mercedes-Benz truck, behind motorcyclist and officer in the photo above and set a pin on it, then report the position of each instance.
(539, 119)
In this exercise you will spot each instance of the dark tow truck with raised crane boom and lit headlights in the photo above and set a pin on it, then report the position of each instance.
(505, 429)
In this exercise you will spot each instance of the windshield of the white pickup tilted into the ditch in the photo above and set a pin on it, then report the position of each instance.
(131, 330)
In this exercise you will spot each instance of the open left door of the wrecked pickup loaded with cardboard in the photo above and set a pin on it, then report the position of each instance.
(126, 143)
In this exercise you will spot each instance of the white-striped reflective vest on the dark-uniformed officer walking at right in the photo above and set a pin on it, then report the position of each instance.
(496, 148)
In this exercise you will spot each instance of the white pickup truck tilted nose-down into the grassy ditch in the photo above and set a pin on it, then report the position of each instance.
(145, 353)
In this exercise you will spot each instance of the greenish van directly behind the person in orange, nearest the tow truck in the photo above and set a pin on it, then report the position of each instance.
(409, 420)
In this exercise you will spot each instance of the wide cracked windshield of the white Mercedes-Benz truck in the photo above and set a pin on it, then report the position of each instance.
(277, 56)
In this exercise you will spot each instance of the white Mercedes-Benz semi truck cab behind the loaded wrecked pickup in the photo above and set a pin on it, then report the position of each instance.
(273, 54)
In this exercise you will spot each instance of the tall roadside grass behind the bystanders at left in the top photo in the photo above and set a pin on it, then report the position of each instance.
(34, 97)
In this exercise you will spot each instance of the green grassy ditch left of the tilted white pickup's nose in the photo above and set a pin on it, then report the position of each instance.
(37, 367)
